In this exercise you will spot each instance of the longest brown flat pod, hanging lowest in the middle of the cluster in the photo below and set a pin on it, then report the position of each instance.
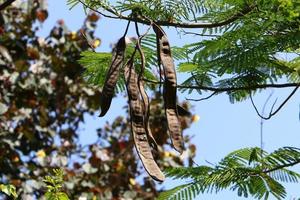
(137, 124)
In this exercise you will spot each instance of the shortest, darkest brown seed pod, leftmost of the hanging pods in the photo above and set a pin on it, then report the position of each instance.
(112, 76)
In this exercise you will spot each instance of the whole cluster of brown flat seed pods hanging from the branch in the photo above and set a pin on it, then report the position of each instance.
(139, 102)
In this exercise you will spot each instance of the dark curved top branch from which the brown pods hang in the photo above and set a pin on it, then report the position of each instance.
(115, 15)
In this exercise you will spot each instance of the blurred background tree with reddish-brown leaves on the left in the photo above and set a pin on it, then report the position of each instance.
(43, 103)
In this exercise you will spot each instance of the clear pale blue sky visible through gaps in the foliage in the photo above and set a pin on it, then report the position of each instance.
(222, 128)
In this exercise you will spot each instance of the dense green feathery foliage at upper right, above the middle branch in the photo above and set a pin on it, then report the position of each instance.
(248, 51)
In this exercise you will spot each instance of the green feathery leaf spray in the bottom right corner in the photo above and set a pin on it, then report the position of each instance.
(249, 172)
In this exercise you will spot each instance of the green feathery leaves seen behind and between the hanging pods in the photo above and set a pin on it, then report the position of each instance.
(96, 63)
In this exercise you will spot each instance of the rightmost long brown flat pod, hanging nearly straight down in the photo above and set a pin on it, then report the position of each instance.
(169, 92)
